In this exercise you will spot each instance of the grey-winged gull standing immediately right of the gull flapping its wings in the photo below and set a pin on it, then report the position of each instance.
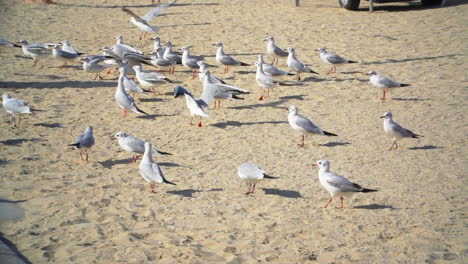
(214, 89)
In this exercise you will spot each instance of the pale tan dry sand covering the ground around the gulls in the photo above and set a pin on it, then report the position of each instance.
(103, 211)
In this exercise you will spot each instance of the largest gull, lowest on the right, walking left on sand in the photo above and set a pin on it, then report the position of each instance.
(335, 184)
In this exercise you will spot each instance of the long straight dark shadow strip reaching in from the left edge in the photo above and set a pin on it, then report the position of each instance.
(66, 84)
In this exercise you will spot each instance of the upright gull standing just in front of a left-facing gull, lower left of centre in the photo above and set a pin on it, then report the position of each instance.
(150, 170)
